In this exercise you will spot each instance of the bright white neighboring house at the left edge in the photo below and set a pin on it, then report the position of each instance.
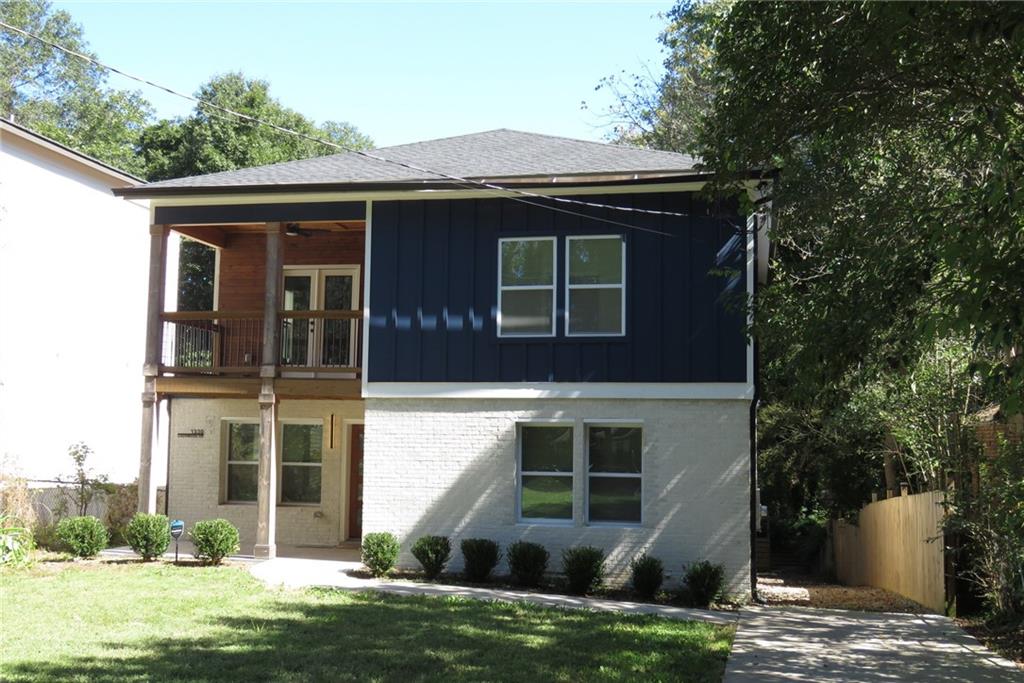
(72, 308)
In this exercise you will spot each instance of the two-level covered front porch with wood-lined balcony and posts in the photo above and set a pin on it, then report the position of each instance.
(285, 328)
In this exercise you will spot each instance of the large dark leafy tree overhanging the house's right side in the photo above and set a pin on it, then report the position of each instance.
(898, 131)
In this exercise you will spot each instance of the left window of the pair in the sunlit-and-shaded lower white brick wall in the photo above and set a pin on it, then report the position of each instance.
(545, 473)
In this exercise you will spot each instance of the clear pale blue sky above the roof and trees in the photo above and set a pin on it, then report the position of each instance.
(401, 72)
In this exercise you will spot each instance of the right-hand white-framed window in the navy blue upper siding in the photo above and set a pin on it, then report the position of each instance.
(595, 286)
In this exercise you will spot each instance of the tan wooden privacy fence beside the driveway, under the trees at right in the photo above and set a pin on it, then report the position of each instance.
(898, 545)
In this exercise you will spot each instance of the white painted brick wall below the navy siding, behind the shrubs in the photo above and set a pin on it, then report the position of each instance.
(449, 467)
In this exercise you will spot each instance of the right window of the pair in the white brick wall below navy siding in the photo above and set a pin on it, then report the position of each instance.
(614, 475)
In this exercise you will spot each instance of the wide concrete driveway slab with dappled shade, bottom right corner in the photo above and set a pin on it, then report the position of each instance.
(833, 647)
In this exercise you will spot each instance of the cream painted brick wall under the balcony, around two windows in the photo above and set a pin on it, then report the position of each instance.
(196, 465)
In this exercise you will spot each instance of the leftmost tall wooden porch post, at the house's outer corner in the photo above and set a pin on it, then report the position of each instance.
(151, 367)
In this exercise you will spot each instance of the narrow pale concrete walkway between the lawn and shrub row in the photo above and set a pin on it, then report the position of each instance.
(293, 573)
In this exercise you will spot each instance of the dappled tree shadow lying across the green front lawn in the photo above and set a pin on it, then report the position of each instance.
(334, 636)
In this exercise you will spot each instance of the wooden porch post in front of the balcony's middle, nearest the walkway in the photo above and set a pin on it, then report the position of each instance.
(267, 496)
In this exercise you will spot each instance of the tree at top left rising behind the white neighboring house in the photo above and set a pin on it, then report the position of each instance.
(62, 97)
